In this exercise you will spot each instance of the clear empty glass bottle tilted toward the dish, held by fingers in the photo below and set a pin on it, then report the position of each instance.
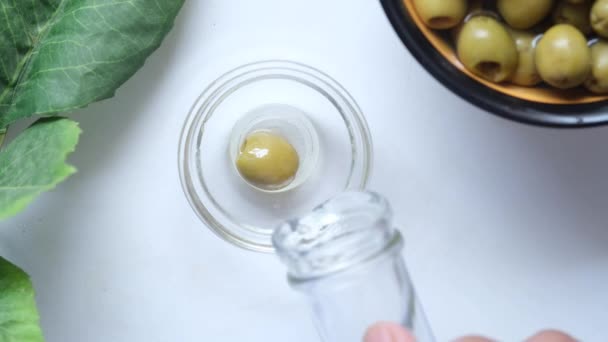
(345, 256)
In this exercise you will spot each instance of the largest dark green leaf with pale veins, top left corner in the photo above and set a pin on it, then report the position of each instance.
(59, 55)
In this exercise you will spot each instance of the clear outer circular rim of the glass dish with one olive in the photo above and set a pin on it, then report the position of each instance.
(243, 75)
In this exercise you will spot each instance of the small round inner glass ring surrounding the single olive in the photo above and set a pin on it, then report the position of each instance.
(287, 122)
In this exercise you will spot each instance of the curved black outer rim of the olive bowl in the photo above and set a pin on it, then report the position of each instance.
(535, 113)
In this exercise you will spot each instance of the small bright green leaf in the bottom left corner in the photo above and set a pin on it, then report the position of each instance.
(18, 314)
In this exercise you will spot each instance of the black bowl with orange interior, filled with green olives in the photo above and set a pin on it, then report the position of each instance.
(541, 62)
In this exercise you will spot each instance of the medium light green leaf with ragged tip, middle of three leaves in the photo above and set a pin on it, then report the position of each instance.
(35, 162)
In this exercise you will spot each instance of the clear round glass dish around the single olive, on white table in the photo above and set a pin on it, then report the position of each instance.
(317, 115)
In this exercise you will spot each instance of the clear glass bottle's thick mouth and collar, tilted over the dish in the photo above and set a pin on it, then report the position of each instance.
(350, 229)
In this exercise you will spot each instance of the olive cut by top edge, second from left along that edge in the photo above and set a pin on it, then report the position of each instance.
(523, 14)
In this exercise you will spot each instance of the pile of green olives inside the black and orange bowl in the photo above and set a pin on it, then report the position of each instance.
(526, 42)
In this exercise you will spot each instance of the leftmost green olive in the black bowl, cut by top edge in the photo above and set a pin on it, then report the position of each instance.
(441, 14)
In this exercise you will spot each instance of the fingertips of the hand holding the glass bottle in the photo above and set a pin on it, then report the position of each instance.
(392, 332)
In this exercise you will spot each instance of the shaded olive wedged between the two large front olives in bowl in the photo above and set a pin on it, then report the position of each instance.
(526, 73)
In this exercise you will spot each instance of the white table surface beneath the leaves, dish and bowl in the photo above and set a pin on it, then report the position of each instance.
(506, 224)
